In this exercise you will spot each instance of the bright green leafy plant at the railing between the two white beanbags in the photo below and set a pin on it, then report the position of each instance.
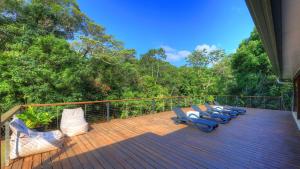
(33, 119)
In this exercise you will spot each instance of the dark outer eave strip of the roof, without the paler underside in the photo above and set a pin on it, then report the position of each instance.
(261, 12)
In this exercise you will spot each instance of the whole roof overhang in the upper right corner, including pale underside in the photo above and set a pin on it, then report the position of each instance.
(278, 23)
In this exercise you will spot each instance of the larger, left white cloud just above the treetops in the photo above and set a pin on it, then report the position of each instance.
(174, 55)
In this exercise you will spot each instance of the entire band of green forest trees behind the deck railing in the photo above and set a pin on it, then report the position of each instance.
(52, 52)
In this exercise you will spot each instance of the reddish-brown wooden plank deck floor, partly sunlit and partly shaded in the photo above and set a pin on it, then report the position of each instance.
(260, 139)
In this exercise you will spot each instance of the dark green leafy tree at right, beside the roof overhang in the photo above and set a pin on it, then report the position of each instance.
(253, 71)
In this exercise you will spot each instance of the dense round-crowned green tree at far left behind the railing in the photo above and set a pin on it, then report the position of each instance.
(48, 71)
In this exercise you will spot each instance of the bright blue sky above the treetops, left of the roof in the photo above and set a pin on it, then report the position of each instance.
(179, 26)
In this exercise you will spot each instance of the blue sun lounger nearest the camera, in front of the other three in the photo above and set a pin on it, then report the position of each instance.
(203, 124)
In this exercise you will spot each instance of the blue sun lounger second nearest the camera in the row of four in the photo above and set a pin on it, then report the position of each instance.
(219, 117)
